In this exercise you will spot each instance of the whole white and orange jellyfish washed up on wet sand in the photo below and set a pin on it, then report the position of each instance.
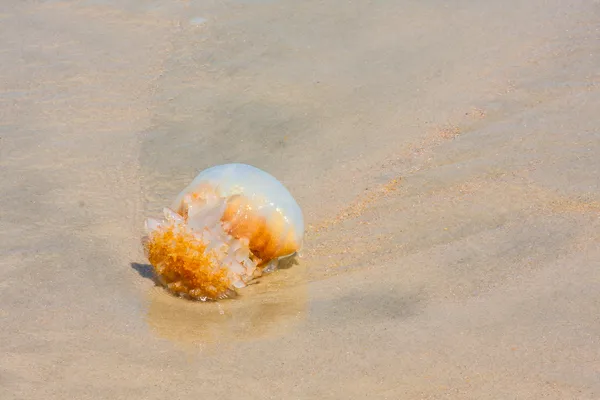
(231, 223)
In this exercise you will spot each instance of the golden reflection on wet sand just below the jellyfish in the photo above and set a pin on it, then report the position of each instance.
(272, 307)
